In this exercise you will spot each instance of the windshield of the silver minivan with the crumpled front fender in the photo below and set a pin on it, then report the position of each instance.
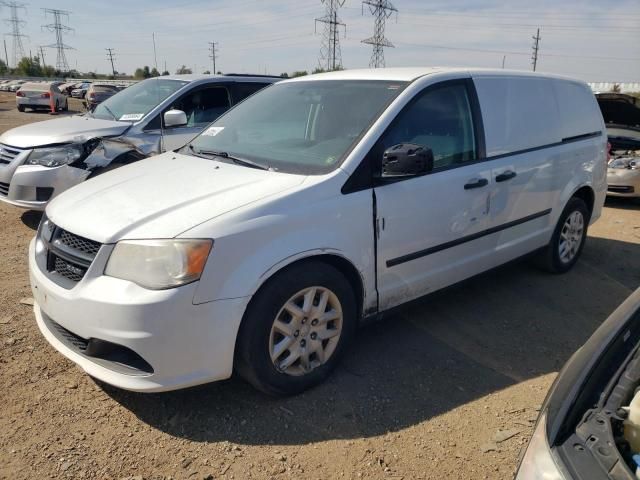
(133, 103)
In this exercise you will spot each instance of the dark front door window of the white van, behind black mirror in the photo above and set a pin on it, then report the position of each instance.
(440, 119)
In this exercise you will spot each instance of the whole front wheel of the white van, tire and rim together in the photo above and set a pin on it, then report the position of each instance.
(296, 329)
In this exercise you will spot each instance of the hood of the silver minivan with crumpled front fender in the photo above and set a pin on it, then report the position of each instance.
(77, 128)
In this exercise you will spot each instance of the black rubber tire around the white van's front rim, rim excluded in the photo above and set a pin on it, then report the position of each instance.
(253, 360)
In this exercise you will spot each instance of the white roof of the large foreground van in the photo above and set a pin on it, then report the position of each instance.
(408, 74)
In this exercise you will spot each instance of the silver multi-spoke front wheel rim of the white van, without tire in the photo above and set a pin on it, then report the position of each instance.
(306, 331)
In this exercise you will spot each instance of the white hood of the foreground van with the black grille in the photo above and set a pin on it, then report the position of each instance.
(161, 197)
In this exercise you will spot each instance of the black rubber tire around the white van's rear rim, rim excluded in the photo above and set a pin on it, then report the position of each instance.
(549, 258)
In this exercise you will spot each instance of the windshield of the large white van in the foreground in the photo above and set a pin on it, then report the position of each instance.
(303, 127)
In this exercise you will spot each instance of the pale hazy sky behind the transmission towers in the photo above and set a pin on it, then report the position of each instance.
(592, 40)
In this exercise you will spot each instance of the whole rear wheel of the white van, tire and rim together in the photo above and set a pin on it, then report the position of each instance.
(568, 239)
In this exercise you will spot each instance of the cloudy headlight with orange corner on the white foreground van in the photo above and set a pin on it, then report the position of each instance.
(159, 264)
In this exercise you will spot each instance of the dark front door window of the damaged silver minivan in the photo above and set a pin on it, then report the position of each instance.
(203, 106)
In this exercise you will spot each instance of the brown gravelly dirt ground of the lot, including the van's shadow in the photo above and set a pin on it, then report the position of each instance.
(428, 393)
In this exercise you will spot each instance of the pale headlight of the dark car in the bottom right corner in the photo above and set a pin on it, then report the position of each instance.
(537, 462)
